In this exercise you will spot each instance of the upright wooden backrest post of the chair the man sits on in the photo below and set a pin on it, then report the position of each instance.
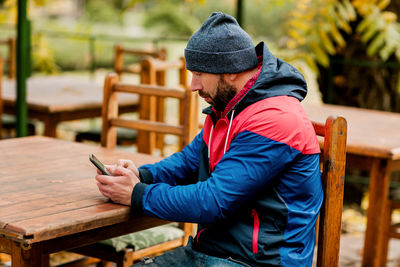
(333, 161)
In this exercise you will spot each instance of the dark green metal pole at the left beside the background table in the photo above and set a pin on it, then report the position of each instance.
(22, 67)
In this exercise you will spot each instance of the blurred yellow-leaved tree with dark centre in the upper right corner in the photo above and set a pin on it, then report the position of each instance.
(348, 43)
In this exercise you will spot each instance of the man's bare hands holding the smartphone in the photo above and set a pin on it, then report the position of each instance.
(120, 186)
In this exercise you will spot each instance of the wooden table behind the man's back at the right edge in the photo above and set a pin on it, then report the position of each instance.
(373, 144)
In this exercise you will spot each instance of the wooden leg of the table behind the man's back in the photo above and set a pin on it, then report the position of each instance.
(376, 215)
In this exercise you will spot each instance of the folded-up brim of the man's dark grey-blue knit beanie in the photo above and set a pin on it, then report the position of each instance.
(221, 62)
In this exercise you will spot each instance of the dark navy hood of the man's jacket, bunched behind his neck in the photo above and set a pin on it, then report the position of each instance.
(277, 78)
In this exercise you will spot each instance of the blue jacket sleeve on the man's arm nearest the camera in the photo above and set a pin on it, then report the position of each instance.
(250, 164)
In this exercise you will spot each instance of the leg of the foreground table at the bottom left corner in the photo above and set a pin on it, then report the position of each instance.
(31, 256)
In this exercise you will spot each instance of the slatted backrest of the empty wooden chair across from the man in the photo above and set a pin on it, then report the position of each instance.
(111, 120)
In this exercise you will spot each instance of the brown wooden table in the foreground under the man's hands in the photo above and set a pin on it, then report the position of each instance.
(49, 200)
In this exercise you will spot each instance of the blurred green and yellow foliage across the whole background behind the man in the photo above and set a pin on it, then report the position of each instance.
(330, 41)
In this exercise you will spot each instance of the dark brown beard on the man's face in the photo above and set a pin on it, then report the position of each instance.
(224, 93)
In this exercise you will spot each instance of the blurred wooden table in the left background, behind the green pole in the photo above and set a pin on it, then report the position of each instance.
(53, 99)
